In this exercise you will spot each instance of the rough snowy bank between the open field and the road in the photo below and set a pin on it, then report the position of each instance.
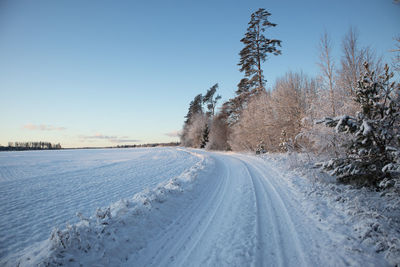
(120, 229)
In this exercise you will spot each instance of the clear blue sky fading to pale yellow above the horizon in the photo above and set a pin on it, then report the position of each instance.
(95, 73)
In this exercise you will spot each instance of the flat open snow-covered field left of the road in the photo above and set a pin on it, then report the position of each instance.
(40, 190)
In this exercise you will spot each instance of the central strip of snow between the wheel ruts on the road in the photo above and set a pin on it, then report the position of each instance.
(228, 239)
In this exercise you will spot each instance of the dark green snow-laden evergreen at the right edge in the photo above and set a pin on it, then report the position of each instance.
(372, 155)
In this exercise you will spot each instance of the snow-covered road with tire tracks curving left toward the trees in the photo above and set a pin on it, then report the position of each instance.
(240, 219)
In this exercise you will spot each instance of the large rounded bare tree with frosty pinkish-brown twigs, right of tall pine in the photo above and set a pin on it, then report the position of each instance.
(268, 113)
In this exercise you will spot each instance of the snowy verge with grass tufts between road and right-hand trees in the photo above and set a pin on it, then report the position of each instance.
(369, 220)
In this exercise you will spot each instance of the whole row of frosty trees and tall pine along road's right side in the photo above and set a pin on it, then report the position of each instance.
(354, 96)
